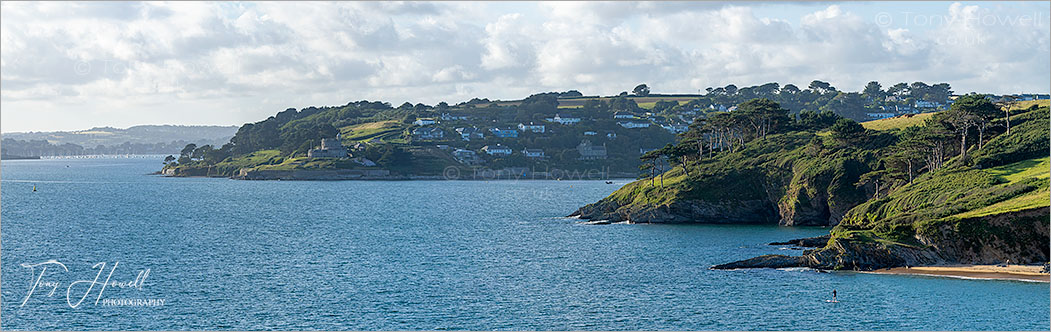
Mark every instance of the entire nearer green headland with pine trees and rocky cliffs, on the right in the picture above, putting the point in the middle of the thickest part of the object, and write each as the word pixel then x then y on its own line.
pixel 905 183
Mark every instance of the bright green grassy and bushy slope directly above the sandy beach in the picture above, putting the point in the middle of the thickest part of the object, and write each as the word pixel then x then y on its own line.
pixel 955 194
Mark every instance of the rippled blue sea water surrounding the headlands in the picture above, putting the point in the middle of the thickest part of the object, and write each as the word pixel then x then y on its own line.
pixel 409 256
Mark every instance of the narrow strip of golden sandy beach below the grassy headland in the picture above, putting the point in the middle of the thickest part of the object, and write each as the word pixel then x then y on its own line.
pixel 1012 273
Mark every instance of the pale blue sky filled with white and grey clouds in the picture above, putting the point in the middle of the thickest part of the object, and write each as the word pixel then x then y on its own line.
pixel 68 67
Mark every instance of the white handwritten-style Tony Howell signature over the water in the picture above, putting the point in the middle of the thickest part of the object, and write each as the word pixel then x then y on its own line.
pixel 75 288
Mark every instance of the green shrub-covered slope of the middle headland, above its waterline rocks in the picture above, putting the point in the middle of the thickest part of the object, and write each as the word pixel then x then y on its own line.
pixel 782 170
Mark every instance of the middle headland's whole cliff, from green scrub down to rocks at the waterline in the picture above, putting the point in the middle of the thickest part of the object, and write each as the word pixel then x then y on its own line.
pixel 795 185
